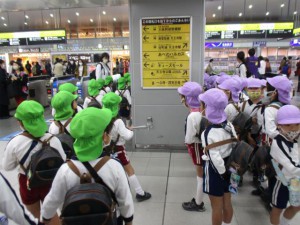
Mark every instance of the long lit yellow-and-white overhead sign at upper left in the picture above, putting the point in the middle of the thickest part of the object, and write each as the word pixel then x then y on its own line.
pixel 33 38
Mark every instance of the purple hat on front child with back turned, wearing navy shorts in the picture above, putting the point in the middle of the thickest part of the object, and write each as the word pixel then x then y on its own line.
pixel 216 102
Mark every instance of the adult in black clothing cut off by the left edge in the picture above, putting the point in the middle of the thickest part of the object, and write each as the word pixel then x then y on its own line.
pixel 4 100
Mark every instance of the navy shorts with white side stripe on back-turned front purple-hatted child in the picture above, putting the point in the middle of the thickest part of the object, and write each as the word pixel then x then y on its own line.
pixel 213 183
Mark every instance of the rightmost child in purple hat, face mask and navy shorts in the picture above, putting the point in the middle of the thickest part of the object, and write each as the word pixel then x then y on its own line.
pixel 285 151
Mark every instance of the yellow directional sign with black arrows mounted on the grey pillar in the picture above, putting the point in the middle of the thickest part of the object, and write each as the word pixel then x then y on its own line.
pixel 165 52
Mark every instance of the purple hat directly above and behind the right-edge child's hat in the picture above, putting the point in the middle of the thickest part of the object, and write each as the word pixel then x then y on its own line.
pixel 283 85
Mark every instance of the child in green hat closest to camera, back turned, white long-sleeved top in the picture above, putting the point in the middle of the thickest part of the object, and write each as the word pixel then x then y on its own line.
pixel 88 128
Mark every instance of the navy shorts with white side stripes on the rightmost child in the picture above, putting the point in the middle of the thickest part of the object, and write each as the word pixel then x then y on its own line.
pixel 280 194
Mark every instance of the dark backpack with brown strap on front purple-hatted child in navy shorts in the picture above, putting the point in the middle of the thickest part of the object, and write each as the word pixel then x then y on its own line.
pixel 240 155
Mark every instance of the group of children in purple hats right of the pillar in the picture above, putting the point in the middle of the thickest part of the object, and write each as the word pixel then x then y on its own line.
pixel 275 124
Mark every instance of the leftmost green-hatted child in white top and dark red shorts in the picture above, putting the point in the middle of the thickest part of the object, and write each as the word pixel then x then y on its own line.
pixel 30 115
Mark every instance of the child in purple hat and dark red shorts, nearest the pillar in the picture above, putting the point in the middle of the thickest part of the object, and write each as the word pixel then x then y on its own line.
pixel 189 96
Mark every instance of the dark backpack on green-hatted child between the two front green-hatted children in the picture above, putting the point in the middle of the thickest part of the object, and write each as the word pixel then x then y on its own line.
pixel 65 138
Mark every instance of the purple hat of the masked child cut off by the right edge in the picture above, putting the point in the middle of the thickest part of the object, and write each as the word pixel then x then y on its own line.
pixel 288 114
